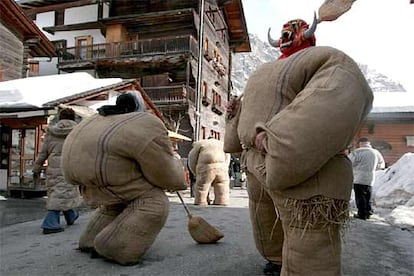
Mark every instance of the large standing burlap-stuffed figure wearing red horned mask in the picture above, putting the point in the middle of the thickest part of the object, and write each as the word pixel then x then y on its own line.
pixel 295 119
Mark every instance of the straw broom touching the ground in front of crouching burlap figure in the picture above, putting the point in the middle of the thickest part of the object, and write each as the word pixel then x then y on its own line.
pixel 200 230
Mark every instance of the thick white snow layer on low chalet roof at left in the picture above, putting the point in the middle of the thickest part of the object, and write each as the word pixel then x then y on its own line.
pixel 36 91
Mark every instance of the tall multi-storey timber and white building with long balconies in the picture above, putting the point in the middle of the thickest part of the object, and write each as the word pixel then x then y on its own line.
pixel 157 43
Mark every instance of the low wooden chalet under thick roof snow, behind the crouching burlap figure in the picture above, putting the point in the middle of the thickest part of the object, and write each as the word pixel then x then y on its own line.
pixel 22 130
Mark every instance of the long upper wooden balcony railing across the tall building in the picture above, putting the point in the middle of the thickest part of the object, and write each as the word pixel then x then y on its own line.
pixel 128 49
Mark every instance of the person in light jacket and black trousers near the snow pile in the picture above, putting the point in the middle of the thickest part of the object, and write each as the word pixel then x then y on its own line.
pixel 365 161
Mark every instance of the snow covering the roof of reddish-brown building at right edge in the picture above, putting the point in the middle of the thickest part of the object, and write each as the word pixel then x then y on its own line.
pixel 393 102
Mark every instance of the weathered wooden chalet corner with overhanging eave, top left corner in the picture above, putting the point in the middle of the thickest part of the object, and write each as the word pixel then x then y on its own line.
pixel 20 40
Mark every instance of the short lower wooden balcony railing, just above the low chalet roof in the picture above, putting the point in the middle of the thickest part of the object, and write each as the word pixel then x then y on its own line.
pixel 171 94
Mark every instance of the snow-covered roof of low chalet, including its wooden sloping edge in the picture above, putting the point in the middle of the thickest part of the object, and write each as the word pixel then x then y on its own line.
pixel 47 92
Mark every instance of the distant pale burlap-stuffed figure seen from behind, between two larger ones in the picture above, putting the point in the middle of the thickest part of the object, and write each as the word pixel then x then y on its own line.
pixel 210 165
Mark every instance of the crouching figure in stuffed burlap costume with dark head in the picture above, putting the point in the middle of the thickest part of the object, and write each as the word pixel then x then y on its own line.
pixel 123 161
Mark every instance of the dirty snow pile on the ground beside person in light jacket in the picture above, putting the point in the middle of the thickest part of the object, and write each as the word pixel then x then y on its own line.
pixel 393 191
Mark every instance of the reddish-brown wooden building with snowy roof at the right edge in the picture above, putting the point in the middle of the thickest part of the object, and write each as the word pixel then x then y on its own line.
pixel 390 125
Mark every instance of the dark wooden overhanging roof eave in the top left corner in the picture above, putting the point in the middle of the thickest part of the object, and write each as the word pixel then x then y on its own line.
pixel 25 29
